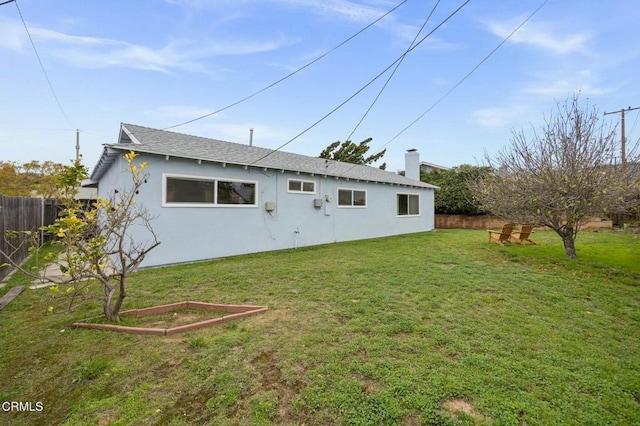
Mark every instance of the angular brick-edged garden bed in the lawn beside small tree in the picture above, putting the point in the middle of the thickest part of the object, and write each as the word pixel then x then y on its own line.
pixel 172 318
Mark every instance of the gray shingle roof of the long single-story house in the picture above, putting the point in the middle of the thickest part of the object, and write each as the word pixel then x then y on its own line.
pixel 162 142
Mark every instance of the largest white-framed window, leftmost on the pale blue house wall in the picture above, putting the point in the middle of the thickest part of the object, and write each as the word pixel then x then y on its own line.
pixel 193 191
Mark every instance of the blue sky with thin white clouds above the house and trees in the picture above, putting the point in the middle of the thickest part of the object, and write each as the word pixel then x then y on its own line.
pixel 162 63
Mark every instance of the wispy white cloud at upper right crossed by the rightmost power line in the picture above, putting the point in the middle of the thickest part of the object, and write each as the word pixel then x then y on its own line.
pixel 542 35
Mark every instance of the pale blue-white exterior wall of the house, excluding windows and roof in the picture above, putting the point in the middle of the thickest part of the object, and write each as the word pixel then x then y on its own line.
pixel 197 233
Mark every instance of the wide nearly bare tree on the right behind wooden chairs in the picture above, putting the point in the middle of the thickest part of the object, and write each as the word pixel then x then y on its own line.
pixel 561 176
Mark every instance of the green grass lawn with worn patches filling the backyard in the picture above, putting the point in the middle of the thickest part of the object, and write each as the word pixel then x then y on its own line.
pixel 438 328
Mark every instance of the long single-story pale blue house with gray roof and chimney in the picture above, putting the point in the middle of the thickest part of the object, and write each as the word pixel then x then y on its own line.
pixel 212 198
